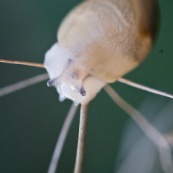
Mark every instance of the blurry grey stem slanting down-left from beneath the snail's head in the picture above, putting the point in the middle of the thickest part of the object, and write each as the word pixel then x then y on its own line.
pixel 61 139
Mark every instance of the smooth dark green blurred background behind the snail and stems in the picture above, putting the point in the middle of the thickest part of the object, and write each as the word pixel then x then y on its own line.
pixel 30 119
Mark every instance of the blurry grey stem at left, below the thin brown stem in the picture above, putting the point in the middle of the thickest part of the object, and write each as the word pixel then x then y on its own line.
pixel 22 84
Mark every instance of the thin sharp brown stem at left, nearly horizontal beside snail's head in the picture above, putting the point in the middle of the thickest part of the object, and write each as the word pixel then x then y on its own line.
pixel 38 65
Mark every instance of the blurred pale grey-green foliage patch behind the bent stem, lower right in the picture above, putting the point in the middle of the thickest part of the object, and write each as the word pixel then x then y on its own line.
pixel 138 153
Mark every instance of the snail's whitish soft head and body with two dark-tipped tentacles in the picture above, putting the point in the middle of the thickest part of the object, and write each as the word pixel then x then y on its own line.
pixel 71 80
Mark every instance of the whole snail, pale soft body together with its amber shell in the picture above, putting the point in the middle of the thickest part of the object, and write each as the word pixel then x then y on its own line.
pixel 98 42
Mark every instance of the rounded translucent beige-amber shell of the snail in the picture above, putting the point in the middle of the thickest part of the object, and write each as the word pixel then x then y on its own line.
pixel 109 37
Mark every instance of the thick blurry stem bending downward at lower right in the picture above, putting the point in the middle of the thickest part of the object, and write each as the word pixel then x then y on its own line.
pixel 152 133
